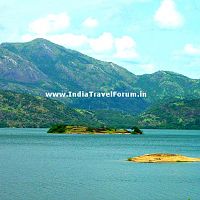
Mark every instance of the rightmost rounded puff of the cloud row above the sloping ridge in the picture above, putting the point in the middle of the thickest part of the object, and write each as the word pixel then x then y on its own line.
pixel 125 48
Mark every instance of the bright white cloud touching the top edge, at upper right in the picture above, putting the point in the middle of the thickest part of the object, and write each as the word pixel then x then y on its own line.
pixel 167 16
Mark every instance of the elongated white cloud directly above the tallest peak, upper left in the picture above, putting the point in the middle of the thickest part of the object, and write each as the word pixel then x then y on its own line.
pixel 50 23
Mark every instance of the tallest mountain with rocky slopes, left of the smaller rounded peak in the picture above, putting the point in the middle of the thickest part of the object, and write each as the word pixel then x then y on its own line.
pixel 64 69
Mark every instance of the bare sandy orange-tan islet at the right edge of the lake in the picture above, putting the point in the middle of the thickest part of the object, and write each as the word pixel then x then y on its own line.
pixel 162 158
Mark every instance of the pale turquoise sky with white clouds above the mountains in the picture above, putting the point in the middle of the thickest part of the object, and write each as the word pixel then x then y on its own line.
pixel 144 36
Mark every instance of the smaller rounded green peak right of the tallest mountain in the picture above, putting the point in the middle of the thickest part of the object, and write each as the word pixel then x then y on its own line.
pixel 164 85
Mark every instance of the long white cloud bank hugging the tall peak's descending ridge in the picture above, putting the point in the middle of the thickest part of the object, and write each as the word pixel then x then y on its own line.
pixel 105 45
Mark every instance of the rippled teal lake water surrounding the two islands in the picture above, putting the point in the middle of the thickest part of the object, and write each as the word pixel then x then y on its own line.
pixel 35 165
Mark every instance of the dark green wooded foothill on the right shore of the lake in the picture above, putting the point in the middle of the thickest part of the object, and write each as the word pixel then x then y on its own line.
pixel 182 114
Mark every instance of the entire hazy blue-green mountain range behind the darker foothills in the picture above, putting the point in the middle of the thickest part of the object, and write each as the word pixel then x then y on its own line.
pixel 41 66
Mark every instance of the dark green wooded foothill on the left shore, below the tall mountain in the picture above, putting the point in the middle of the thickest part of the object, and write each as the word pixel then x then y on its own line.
pixel 24 110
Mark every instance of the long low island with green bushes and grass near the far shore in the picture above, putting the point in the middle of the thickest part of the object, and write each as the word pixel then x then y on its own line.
pixel 70 129
